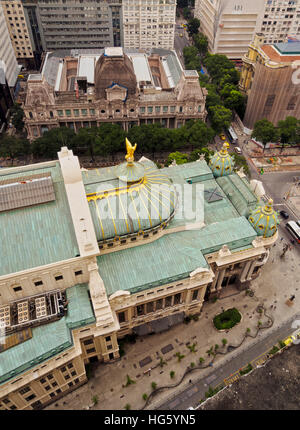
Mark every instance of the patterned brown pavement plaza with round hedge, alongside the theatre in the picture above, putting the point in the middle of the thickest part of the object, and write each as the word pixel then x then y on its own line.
pixel 279 280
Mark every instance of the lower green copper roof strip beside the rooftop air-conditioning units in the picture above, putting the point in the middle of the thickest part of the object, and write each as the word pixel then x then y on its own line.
pixel 49 339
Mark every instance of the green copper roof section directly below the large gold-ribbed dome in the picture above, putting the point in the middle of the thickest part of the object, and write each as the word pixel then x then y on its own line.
pixel 168 259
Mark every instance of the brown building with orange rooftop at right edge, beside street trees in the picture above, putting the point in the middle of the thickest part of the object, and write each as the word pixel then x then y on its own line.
pixel 270 79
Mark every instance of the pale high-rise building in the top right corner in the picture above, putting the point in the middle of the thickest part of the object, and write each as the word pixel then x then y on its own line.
pixel 231 26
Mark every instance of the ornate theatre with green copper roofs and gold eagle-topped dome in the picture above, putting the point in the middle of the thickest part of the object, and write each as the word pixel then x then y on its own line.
pixel 117 252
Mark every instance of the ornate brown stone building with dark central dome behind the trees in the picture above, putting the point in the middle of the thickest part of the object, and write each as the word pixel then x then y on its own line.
pixel 84 90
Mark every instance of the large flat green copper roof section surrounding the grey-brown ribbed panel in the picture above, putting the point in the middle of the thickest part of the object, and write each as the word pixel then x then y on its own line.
pixel 37 235
